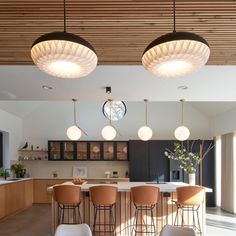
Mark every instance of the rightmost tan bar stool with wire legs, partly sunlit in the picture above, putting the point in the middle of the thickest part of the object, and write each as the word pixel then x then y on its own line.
pixel 189 199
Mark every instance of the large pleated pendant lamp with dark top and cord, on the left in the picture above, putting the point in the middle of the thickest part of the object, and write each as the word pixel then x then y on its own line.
pixel 63 54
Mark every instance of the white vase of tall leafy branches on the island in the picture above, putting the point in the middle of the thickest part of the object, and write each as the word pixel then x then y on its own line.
pixel 188 159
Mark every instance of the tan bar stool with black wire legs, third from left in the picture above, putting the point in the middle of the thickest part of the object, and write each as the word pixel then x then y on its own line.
pixel 145 199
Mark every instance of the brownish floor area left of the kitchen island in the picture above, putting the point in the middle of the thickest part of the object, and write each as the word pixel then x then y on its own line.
pixel 35 221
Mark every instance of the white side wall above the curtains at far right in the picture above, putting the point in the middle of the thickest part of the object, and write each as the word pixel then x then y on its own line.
pixel 224 123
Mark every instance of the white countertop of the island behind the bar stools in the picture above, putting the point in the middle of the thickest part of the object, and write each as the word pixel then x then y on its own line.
pixel 125 186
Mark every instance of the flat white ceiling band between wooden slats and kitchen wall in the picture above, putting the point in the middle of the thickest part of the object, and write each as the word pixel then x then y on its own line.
pixel 129 83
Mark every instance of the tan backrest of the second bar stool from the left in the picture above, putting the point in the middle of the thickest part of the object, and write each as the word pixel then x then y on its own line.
pixel 103 195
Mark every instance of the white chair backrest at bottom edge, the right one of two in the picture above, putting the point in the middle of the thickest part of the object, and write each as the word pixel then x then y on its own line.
pixel 170 230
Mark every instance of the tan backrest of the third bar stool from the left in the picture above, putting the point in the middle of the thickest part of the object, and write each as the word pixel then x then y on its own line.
pixel 145 195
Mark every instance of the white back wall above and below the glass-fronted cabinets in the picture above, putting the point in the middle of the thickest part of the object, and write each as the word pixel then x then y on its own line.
pixel 50 120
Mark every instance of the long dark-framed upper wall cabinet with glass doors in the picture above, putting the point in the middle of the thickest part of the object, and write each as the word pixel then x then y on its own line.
pixel 88 150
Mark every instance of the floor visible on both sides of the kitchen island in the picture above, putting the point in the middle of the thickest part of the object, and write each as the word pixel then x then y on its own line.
pixel 37 221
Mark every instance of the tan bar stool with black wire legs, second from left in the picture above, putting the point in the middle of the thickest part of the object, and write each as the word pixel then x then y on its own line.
pixel 103 199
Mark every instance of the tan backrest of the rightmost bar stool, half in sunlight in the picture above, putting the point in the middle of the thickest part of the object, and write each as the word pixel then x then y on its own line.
pixel 190 195
